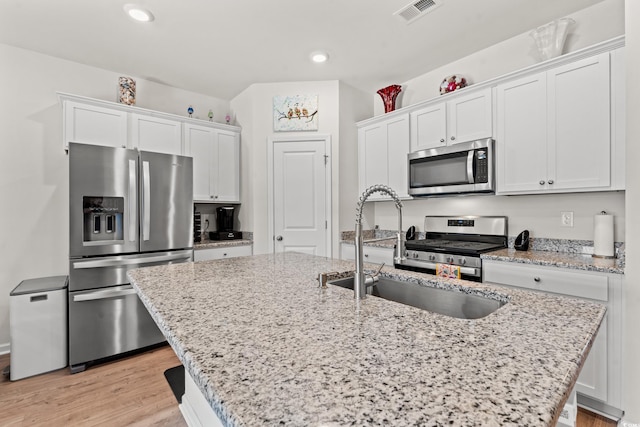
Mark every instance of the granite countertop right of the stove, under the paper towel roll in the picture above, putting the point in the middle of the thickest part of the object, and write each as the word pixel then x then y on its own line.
pixel 557 259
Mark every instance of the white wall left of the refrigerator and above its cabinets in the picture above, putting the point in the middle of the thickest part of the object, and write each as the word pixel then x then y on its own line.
pixel 34 174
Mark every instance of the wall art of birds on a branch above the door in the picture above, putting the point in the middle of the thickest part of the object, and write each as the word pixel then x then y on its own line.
pixel 295 113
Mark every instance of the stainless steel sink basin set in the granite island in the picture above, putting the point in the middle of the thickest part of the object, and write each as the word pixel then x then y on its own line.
pixel 441 301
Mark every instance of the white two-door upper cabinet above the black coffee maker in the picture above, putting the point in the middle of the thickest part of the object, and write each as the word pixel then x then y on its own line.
pixel 216 163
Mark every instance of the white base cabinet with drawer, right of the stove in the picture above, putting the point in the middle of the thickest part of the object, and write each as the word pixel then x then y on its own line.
pixel 600 378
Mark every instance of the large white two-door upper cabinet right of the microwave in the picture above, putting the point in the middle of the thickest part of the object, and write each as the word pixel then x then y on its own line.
pixel 553 130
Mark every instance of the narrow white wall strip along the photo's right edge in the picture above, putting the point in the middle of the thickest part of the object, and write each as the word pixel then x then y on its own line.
pixel 631 341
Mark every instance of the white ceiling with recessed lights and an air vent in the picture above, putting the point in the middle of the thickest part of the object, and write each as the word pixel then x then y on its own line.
pixel 219 48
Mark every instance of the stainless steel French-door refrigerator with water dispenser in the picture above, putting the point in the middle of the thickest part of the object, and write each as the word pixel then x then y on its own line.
pixel 127 209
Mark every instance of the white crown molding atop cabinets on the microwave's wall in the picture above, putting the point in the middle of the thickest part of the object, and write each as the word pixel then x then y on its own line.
pixel 602 47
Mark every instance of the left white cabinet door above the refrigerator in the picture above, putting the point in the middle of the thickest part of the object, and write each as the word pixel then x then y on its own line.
pixel 92 124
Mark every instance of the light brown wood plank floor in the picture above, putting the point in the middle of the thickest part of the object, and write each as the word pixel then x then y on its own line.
pixel 127 392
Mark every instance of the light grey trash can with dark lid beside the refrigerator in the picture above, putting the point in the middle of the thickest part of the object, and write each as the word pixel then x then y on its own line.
pixel 38 326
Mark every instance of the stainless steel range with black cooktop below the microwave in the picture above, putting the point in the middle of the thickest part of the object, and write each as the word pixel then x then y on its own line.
pixel 455 241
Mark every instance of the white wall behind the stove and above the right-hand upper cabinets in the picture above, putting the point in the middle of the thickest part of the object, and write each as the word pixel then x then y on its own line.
pixel 540 214
